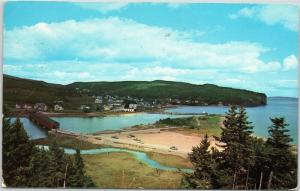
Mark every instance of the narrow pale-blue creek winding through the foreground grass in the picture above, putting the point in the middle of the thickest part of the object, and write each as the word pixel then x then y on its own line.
pixel 141 156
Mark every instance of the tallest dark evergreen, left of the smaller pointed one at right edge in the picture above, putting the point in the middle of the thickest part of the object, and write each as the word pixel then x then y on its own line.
pixel 236 159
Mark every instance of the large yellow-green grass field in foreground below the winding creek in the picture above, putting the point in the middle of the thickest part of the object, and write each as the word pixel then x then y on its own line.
pixel 122 170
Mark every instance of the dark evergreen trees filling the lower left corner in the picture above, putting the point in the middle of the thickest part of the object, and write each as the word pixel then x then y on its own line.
pixel 25 165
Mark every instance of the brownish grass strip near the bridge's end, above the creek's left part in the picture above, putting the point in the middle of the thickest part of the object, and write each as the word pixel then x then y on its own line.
pixel 67 142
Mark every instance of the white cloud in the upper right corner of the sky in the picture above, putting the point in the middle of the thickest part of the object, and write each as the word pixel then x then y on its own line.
pixel 286 15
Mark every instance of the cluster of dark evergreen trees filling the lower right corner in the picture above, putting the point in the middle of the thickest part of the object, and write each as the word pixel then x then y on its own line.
pixel 244 161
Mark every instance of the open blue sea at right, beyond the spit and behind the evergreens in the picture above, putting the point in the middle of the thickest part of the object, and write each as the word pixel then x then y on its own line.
pixel 259 116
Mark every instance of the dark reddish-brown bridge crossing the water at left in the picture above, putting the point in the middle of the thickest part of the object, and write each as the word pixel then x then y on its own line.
pixel 43 121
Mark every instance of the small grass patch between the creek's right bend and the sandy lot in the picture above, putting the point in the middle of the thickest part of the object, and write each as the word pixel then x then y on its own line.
pixel 170 160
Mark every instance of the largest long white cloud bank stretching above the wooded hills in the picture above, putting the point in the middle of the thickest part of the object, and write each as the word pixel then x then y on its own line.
pixel 116 40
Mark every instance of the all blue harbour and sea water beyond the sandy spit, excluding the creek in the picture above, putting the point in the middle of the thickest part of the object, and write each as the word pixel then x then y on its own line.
pixel 259 116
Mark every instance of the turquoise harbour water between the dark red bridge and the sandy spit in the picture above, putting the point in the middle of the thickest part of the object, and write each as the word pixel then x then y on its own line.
pixel 87 125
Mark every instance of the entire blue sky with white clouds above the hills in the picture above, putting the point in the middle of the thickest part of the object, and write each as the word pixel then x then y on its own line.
pixel 246 46
